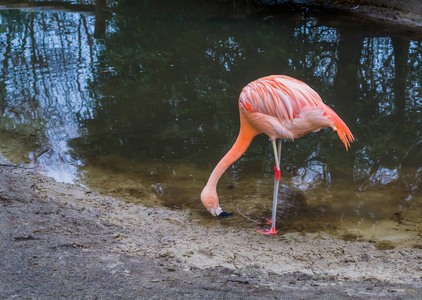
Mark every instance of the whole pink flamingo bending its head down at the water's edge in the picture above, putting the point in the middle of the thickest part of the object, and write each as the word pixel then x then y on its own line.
pixel 283 108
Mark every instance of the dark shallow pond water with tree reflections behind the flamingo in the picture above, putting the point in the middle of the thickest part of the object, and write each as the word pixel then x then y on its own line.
pixel 145 111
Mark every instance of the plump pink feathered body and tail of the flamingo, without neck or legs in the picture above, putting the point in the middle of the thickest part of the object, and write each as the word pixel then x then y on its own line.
pixel 284 107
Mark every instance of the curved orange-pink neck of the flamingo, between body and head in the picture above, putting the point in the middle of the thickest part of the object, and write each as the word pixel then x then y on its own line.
pixel 245 137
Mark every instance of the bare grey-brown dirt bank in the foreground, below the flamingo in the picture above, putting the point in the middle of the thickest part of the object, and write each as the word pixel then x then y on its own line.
pixel 65 241
